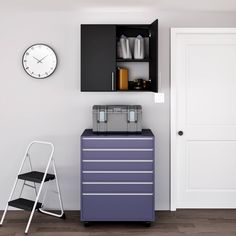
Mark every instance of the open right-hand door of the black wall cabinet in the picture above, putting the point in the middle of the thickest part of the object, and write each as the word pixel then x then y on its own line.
pixel 153 56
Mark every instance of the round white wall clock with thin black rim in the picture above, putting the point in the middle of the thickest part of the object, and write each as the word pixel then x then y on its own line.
pixel 39 61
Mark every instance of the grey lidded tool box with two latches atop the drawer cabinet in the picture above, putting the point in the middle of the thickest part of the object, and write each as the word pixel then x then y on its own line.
pixel 117 118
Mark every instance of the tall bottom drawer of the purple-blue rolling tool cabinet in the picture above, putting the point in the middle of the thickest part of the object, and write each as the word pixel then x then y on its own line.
pixel 117 208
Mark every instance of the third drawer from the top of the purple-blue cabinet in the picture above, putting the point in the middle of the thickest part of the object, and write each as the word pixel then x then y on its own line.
pixel 117 165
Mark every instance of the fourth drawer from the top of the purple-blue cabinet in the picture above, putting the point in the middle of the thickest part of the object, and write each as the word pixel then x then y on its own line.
pixel 117 177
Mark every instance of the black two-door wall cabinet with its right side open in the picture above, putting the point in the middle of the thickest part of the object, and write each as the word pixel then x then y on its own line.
pixel 99 60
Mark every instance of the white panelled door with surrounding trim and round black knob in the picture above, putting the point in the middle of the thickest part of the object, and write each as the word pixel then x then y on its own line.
pixel 204 108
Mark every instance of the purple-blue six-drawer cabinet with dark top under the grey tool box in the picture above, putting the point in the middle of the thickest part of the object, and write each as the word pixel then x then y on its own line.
pixel 117 177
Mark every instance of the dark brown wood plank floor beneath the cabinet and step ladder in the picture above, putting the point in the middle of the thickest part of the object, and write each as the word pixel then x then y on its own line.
pixel 181 222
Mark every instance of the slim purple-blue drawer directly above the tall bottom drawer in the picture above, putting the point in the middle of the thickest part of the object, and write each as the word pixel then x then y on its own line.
pixel 117 188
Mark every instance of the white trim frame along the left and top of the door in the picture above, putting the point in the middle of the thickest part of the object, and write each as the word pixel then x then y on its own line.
pixel 175 32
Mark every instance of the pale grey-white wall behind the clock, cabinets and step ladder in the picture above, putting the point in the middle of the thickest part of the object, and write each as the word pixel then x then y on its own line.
pixel 54 109
